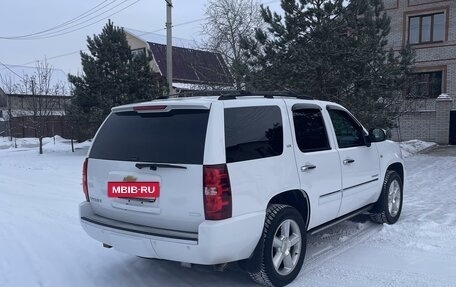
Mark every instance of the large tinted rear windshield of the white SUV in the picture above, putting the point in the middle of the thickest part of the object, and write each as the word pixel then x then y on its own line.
pixel 177 136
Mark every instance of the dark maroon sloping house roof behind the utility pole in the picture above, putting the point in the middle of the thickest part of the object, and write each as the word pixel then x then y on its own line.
pixel 193 66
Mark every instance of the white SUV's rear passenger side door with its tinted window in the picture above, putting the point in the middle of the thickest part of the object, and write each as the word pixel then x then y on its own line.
pixel 317 161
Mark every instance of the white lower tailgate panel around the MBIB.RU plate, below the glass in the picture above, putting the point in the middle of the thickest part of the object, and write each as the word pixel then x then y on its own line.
pixel 179 205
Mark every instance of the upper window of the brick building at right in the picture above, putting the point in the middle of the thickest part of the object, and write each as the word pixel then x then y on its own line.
pixel 427 28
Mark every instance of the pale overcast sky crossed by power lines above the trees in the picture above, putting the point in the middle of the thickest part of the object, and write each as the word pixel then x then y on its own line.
pixel 25 17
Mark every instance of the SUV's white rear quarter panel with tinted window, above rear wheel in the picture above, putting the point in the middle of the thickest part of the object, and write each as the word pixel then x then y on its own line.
pixel 259 152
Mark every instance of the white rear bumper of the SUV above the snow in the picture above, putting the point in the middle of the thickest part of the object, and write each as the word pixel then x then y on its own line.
pixel 216 241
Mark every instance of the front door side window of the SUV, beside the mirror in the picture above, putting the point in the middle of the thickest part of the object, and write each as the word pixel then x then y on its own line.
pixel 348 131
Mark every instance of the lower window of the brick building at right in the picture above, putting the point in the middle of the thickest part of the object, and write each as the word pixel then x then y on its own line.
pixel 426 85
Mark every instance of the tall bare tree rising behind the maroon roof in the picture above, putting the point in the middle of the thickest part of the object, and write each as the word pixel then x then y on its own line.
pixel 228 21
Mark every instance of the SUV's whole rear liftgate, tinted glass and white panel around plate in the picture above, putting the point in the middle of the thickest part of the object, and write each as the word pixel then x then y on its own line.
pixel 164 145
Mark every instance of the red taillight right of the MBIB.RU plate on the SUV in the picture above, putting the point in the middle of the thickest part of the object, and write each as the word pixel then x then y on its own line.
pixel 217 192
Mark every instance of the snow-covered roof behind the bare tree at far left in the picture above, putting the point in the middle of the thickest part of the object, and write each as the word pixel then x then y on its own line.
pixel 12 74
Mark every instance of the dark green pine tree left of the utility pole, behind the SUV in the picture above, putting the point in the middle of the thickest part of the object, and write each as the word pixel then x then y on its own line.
pixel 111 76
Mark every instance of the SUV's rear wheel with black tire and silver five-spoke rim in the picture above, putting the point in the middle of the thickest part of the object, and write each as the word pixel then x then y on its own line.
pixel 284 238
